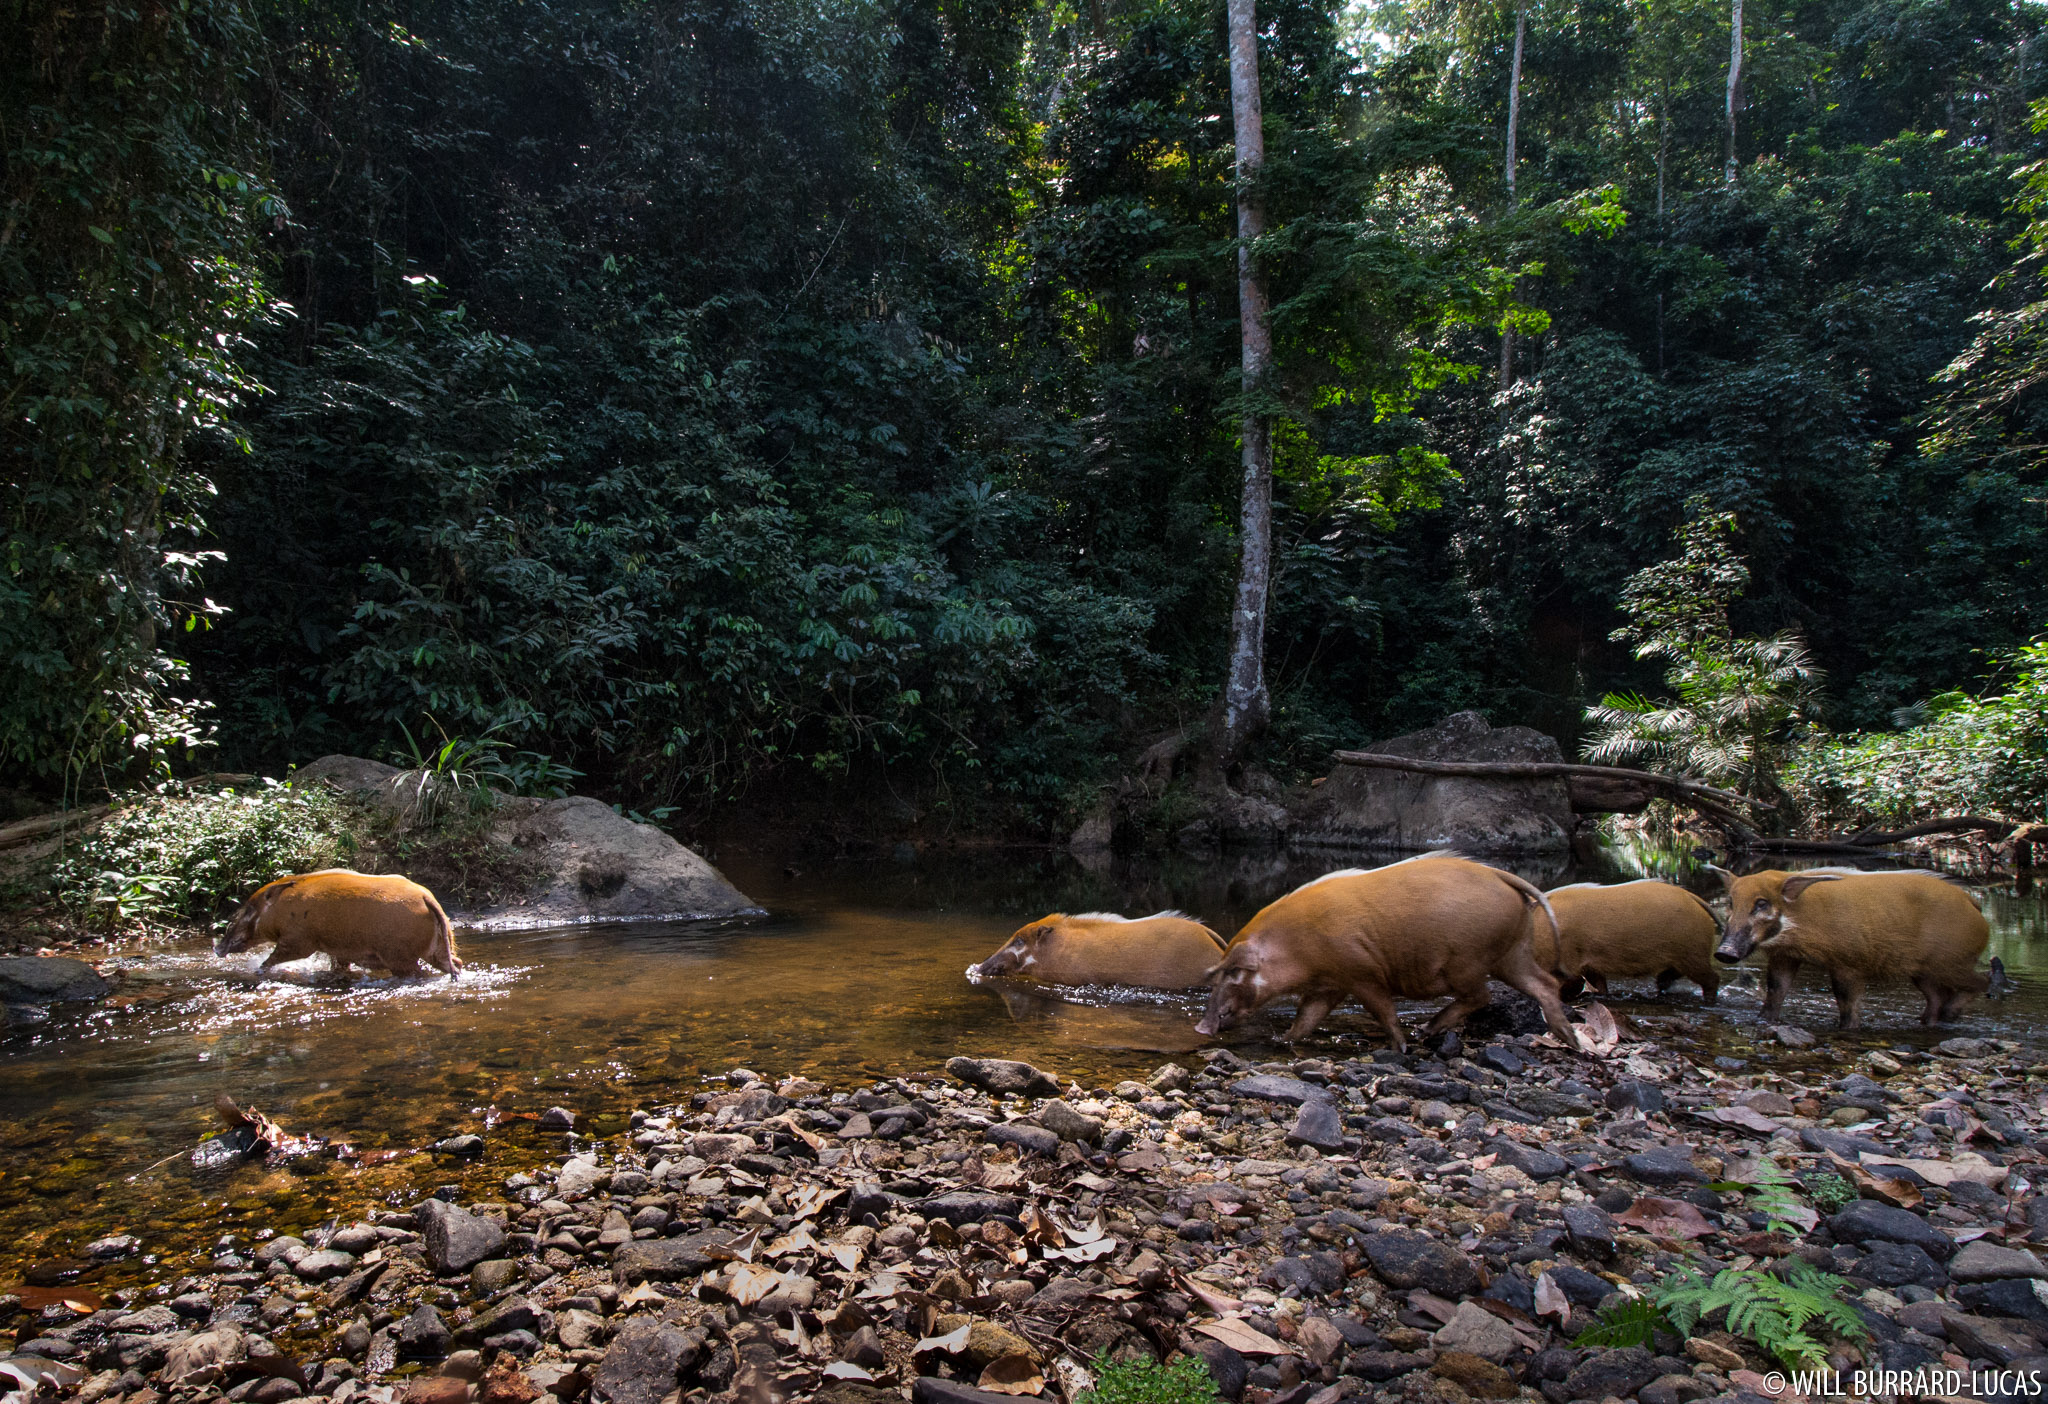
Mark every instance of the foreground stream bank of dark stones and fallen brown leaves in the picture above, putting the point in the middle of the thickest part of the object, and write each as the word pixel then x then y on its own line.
pixel 1428 1227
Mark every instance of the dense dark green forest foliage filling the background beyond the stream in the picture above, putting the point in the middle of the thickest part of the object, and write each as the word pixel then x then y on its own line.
pixel 718 392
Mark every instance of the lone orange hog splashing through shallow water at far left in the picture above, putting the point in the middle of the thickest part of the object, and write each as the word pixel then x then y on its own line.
pixel 355 918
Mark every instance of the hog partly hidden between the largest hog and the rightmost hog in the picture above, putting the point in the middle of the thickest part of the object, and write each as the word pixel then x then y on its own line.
pixel 1629 930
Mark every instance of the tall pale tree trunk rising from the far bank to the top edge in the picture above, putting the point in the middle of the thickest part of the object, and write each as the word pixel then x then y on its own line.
pixel 1246 705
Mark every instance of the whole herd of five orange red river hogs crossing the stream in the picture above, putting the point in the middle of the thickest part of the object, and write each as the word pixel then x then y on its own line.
pixel 1414 930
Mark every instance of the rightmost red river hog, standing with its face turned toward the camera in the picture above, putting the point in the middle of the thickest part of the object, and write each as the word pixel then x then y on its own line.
pixel 1859 926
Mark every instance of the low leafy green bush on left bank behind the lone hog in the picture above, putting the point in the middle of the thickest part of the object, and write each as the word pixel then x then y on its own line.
pixel 189 857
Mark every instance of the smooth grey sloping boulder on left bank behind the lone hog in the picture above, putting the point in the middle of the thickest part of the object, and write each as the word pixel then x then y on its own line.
pixel 595 865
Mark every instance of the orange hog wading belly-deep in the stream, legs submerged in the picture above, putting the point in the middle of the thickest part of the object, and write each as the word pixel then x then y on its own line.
pixel 1166 951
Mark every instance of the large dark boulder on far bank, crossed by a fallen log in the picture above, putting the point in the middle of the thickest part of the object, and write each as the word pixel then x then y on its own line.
pixel 1377 809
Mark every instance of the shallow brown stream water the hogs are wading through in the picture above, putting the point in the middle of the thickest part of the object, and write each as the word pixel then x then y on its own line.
pixel 857 975
